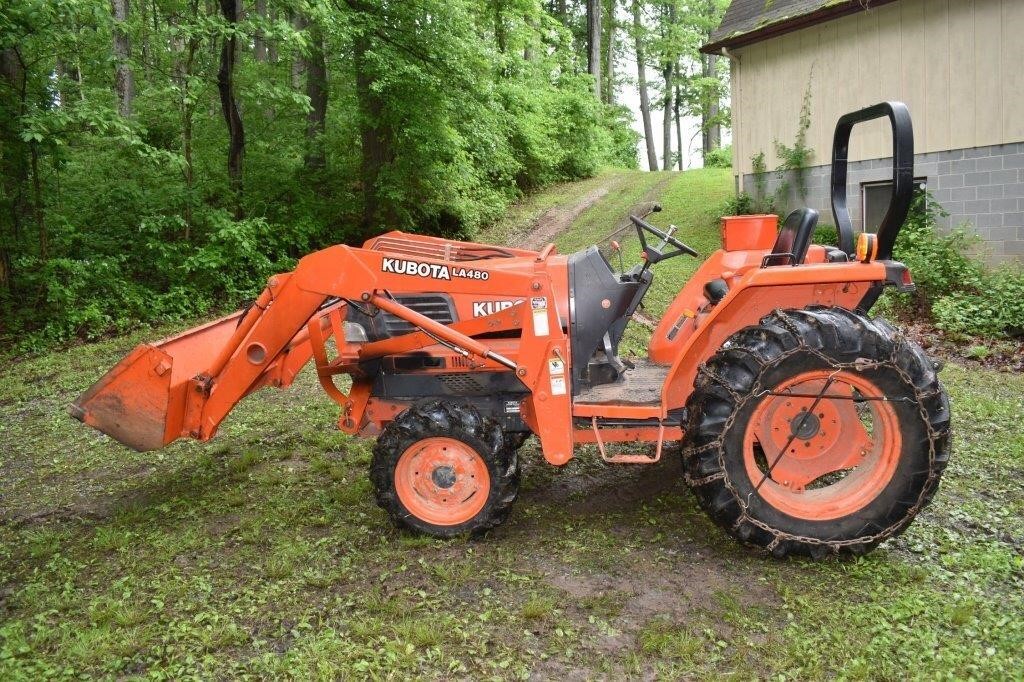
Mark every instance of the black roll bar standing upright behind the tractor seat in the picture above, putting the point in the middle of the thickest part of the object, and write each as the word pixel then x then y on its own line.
pixel 900 205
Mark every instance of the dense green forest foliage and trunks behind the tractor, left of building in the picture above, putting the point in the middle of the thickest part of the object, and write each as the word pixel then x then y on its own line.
pixel 161 158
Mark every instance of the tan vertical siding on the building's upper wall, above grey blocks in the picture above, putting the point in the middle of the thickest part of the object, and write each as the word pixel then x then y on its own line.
pixel 959 65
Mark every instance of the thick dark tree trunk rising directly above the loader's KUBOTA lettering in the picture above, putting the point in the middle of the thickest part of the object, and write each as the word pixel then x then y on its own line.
pixel 376 145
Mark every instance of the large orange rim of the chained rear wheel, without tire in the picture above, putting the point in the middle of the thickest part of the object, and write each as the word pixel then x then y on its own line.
pixel 838 459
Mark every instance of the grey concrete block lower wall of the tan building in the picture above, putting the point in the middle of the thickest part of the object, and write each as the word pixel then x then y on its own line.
pixel 983 188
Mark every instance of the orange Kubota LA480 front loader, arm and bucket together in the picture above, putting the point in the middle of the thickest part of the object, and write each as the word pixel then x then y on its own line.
pixel 187 386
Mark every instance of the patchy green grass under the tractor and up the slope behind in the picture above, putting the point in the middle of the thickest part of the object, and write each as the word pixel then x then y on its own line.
pixel 263 553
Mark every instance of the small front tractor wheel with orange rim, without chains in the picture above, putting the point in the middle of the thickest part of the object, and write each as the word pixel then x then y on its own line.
pixel 443 470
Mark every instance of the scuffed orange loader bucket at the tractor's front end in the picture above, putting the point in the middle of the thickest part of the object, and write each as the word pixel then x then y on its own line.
pixel 142 402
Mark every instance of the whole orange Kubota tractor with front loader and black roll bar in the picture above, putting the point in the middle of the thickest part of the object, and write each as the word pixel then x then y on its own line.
pixel 806 427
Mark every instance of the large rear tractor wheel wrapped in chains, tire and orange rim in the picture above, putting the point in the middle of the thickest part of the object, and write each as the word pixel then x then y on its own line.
pixel 818 432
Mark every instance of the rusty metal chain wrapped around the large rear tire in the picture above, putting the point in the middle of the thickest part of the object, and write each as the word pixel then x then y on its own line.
pixel 927 491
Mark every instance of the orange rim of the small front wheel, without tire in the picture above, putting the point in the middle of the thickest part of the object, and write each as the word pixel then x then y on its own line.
pixel 443 482
